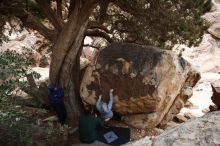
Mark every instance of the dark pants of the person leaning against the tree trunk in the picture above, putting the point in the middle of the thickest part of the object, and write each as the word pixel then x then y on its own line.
pixel 61 112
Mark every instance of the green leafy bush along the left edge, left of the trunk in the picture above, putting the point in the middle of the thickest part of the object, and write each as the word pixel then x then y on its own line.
pixel 19 126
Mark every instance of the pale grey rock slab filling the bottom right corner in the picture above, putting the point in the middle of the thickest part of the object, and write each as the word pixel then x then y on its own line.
pixel 202 131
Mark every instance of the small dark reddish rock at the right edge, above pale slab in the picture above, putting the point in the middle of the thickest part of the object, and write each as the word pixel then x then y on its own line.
pixel 216 93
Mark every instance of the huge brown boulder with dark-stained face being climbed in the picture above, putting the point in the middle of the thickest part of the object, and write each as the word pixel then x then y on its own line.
pixel 150 85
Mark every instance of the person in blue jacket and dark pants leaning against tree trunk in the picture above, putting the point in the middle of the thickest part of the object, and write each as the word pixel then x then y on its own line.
pixel 56 94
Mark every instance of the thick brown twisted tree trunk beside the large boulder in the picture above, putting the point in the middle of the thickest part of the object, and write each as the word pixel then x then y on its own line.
pixel 64 68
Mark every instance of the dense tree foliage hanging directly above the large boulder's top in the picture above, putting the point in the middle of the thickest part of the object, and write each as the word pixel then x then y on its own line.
pixel 161 23
